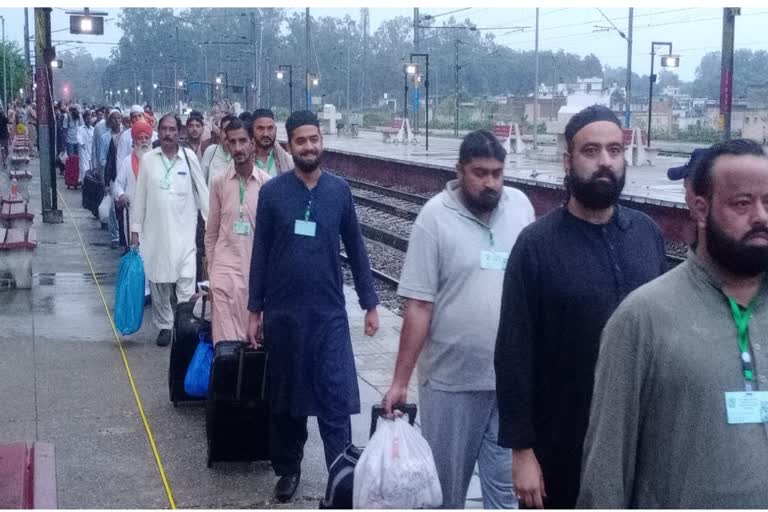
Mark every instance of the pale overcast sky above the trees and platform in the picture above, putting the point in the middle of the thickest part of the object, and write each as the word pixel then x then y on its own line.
pixel 692 31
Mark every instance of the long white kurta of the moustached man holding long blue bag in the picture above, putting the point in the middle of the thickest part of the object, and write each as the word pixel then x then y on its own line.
pixel 166 218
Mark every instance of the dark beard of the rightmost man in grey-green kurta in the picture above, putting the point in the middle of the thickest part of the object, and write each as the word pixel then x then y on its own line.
pixel 736 256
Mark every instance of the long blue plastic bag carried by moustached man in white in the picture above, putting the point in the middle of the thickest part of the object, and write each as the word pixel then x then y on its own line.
pixel 129 293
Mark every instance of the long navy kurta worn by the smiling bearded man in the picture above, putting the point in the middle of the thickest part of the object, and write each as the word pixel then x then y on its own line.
pixel 297 282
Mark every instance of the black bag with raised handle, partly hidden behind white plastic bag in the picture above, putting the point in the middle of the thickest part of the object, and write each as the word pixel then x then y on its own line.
pixel 341 474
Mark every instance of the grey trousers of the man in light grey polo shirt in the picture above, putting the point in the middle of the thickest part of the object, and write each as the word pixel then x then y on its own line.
pixel 462 429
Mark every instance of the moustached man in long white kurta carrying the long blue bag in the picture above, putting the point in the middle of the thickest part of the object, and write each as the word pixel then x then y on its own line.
pixel 169 193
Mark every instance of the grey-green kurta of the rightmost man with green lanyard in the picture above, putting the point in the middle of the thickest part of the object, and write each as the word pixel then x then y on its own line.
pixel 658 432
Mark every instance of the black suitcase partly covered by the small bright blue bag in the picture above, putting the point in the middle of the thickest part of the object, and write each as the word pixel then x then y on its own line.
pixel 184 340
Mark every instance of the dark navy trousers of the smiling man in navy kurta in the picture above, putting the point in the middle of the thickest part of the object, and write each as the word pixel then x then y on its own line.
pixel 289 434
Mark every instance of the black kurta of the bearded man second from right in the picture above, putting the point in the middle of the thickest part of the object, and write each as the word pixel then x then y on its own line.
pixel 564 279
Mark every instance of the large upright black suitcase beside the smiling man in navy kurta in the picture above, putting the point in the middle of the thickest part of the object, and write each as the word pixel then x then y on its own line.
pixel 237 420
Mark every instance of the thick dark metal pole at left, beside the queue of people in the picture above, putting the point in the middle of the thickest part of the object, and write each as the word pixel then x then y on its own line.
pixel 46 133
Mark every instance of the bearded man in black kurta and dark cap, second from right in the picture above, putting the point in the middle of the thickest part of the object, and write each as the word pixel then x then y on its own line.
pixel 565 276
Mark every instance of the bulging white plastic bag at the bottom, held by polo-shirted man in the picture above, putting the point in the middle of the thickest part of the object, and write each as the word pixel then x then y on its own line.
pixel 396 470
